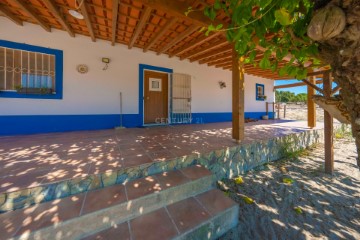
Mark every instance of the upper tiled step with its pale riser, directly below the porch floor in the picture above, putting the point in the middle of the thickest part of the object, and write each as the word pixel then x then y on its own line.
pixel 81 214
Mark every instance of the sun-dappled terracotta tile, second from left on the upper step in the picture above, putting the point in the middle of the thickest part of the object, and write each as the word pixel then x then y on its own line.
pixel 50 213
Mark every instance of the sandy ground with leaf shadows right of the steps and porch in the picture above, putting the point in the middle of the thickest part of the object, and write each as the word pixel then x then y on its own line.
pixel 308 205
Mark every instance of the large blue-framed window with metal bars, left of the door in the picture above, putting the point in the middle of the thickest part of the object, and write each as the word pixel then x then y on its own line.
pixel 29 71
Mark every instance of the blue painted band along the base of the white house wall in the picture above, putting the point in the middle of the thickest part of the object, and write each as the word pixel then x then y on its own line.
pixel 18 125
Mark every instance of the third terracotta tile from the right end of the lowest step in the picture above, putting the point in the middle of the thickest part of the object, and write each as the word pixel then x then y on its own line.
pixel 153 226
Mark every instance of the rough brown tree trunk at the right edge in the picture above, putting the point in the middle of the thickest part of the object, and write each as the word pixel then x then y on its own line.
pixel 343 54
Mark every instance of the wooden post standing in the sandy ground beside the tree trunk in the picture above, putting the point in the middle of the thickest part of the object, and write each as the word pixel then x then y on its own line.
pixel 328 128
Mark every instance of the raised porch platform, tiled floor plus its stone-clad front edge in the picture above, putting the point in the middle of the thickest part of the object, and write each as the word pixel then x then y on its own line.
pixel 37 168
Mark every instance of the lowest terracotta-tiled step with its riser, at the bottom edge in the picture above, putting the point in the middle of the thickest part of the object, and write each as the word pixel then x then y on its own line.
pixel 205 216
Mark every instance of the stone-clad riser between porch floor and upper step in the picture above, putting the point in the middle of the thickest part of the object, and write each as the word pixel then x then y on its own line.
pixel 57 190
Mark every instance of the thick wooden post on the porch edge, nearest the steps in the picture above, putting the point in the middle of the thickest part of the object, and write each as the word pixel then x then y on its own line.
pixel 238 97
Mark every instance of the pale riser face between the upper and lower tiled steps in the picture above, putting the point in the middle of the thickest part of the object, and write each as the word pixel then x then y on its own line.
pixel 103 219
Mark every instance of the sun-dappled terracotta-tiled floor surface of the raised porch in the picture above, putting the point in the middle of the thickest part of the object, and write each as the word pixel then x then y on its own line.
pixel 34 160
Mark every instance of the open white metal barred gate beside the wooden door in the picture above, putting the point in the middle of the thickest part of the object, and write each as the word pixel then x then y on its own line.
pixel 181 98
